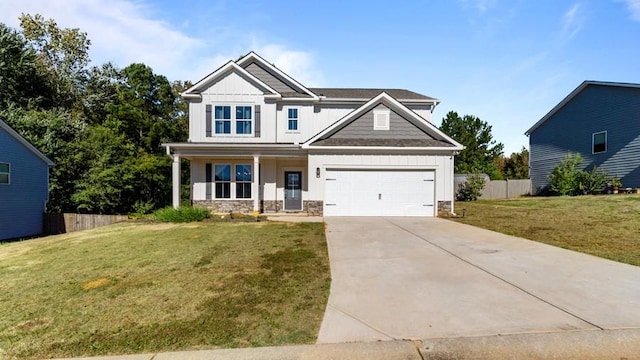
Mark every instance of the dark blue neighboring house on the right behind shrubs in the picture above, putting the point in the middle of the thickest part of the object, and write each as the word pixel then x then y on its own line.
pixel 598 120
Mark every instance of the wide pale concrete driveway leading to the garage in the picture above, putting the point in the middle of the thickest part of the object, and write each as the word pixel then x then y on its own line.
pixel 424 278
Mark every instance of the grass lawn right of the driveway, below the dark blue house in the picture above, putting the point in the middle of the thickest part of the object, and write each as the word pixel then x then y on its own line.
pixel 605 225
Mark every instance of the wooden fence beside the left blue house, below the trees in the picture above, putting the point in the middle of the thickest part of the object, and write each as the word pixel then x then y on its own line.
pixel 69 222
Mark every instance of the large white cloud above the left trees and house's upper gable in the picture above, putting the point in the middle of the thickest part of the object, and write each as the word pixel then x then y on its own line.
pixel 124 32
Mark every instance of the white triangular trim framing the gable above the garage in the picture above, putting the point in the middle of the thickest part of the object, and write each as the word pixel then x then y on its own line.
pixel 392 103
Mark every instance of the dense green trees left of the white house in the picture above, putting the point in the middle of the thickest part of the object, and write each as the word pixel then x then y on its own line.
pixel 102 126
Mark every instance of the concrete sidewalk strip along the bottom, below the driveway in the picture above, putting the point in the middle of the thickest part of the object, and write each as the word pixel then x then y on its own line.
pixel 576 345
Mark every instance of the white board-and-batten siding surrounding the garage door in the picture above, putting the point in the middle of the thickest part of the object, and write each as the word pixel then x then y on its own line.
pixel 441 163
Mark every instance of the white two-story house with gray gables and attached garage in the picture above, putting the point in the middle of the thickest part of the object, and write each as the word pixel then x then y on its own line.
pixel 261 141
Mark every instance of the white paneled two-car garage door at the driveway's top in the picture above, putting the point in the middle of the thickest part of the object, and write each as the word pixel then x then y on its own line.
pixel 379 193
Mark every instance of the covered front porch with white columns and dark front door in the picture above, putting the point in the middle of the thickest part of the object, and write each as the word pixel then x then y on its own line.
pixel 271 179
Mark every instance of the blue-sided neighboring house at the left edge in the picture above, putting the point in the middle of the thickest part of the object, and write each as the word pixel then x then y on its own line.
pixel 24 185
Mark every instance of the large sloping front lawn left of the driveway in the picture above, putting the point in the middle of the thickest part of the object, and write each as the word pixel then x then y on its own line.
pixel 140 287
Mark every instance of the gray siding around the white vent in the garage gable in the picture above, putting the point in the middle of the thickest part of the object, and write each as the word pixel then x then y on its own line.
pixel 399 128
